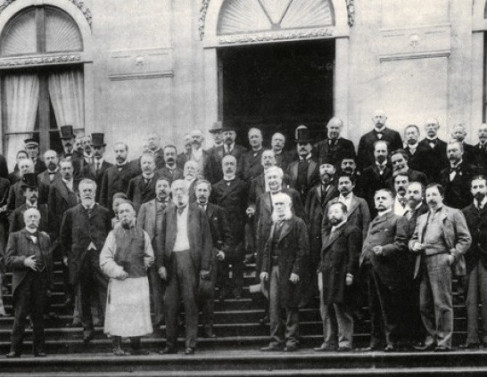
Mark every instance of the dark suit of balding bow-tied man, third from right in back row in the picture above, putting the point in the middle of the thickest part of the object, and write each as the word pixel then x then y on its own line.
pixel 431 161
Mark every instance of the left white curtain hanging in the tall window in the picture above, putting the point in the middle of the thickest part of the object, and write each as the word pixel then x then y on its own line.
pixel 22 100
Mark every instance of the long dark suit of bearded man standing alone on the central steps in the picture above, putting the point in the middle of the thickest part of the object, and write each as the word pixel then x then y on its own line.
pixel 230 196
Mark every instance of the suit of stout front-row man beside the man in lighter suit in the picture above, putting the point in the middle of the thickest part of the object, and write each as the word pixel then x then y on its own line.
pixel 387 277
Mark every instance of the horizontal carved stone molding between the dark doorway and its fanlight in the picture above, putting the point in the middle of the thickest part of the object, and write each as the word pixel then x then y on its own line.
pixel 277 36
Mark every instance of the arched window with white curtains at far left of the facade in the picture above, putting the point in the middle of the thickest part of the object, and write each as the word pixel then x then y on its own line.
pixel 42 83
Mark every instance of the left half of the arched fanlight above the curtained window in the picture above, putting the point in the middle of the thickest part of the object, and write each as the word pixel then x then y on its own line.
pixel 19 37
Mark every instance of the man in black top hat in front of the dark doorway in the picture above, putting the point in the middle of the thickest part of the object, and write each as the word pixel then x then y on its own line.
pixel 304 172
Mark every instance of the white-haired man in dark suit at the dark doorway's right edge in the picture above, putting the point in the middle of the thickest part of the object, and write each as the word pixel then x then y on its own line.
pixel 334 147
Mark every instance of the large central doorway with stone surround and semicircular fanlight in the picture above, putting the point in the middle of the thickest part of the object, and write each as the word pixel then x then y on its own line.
pixel 278 63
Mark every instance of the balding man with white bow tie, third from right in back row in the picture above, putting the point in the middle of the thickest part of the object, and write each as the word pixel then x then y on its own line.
pixel 430 155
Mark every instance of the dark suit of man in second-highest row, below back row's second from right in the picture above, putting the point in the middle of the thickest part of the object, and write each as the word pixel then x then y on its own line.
pixel 457 191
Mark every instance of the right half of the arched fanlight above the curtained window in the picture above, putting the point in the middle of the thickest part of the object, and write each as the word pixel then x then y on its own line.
pixel 62 34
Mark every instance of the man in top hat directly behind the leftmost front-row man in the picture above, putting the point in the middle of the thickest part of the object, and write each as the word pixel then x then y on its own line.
pixel 31 193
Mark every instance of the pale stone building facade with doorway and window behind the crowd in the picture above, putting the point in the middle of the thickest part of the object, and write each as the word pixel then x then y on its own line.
pixel 130 67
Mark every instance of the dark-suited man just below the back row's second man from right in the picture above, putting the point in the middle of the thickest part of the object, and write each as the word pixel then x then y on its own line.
pixel 455 179
